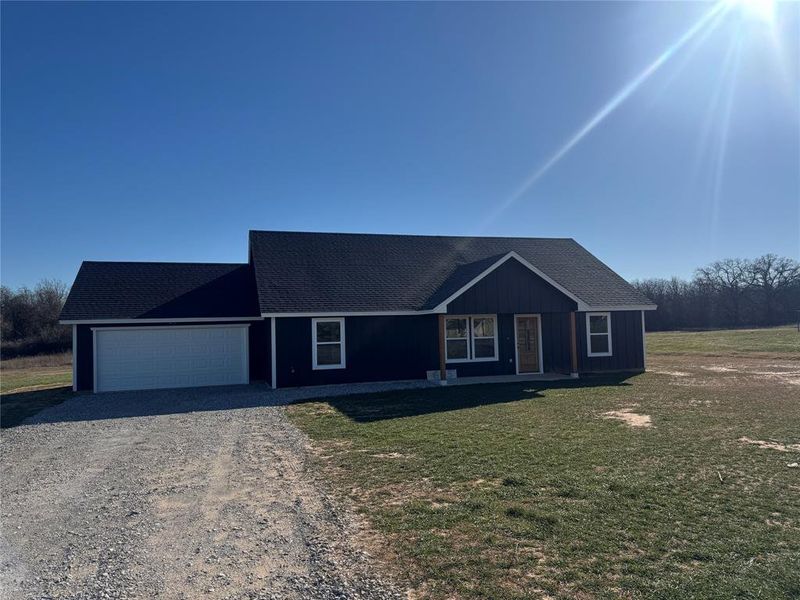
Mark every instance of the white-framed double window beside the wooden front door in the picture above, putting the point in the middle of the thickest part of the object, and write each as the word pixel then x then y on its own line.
pixel 470 338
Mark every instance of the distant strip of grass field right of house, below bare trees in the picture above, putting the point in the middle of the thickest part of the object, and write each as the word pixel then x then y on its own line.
pixel 778 340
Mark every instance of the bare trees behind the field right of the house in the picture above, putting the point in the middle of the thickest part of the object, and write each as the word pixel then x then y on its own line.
pixel 733 292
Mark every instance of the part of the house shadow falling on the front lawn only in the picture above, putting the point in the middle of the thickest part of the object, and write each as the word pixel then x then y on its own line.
pixel 368 408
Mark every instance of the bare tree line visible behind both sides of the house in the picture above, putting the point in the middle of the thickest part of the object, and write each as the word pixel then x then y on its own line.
pixel 726 293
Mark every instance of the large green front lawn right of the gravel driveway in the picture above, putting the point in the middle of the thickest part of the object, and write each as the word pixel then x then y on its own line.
pixel 524 490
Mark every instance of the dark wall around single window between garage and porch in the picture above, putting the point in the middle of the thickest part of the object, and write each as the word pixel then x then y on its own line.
pixel 376 349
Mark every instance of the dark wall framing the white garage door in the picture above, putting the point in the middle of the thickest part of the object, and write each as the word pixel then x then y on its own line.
pixel 258 350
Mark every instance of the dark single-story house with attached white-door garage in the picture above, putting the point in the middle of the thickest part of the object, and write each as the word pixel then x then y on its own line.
pixel 320 308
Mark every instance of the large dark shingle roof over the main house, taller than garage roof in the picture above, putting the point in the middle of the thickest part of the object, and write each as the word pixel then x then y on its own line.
pixel 373 273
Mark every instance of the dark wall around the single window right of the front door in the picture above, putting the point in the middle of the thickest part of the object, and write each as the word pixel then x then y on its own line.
pixel 626 340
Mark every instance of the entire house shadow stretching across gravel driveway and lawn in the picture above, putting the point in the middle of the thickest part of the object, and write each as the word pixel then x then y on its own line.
pixel 58 405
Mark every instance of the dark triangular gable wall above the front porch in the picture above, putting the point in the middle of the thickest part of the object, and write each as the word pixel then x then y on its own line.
pixel 511 288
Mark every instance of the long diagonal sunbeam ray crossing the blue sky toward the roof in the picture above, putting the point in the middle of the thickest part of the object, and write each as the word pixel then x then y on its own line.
pixel 706 20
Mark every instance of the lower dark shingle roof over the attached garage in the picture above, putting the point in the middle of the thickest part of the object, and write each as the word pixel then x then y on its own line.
pixel 114 291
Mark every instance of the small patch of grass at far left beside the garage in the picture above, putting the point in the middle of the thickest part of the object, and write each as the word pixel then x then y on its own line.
pixel 31 384
